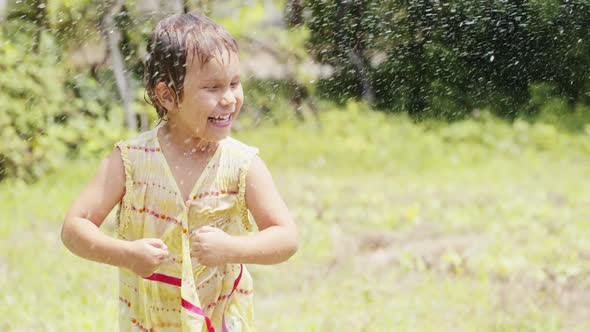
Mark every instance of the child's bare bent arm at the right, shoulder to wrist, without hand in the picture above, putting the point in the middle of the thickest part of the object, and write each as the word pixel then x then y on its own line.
pixel 276 240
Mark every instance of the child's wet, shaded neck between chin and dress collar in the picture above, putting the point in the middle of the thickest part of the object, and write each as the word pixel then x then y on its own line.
pixel 184 142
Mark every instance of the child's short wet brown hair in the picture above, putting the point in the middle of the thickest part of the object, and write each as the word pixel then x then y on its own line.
pixel 176 41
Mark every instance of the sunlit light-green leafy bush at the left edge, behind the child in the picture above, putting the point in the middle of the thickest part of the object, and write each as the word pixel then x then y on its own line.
pixel 44 120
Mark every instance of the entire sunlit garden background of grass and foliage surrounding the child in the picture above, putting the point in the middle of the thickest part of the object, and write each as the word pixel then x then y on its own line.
pixel 435 155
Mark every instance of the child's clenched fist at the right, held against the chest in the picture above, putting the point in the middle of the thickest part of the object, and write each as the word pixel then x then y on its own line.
pixel 211 246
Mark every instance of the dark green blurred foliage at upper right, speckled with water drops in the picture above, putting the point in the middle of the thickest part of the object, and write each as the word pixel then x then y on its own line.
pixel 444 59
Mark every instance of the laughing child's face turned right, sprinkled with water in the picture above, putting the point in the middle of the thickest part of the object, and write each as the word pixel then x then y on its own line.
pixel 212 98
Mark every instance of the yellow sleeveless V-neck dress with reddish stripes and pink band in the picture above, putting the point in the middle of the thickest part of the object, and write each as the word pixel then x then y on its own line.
pixel 183 295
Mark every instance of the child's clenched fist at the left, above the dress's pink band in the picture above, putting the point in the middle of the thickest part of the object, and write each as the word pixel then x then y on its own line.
pixel 147 255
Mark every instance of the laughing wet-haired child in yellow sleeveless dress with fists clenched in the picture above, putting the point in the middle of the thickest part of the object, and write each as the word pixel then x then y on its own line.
pixel 187 193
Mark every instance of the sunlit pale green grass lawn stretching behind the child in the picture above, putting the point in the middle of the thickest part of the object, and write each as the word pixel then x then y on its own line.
pixel 475 226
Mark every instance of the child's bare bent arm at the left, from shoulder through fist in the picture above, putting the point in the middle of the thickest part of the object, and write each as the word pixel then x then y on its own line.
pixel 80 231
